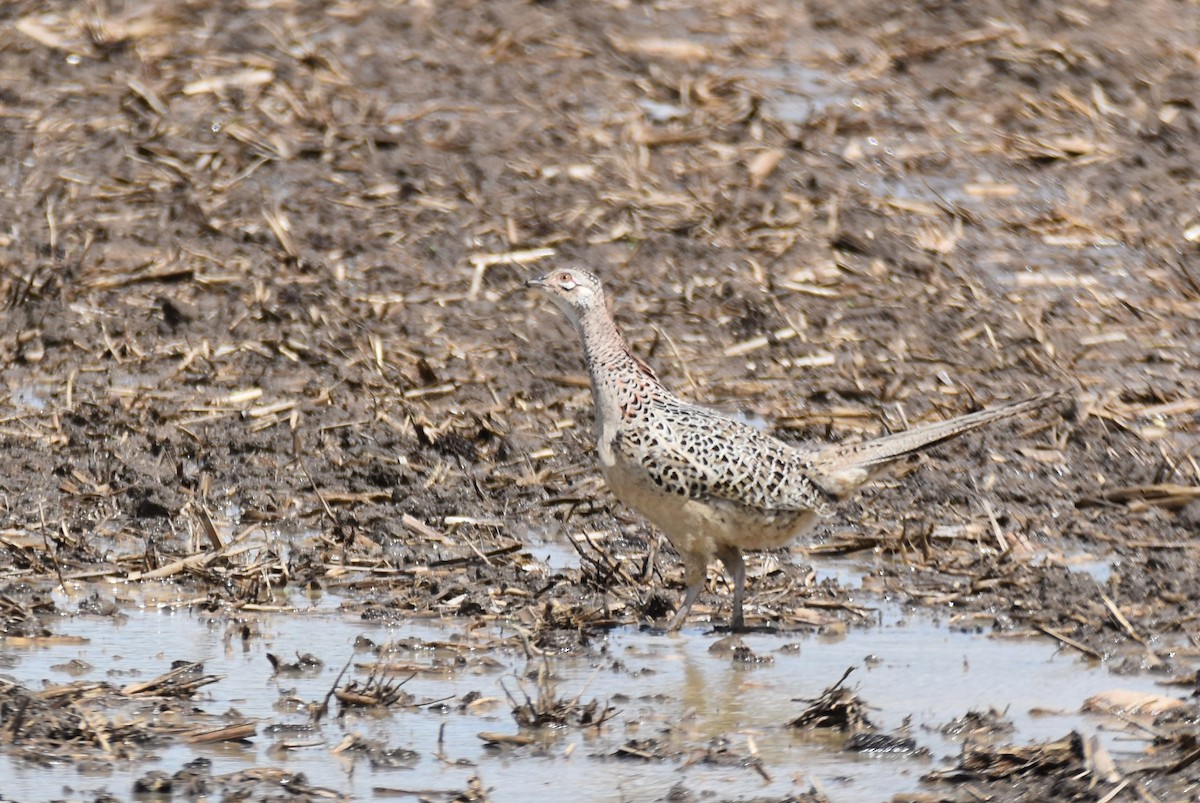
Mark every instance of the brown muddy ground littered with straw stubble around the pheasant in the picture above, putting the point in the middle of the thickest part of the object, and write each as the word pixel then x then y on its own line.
pixel 265 326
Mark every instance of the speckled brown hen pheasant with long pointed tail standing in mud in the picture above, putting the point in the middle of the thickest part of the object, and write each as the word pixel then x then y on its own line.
pixel 712 484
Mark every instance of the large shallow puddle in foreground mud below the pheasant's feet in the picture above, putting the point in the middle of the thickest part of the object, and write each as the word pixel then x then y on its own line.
pixel 658 684
